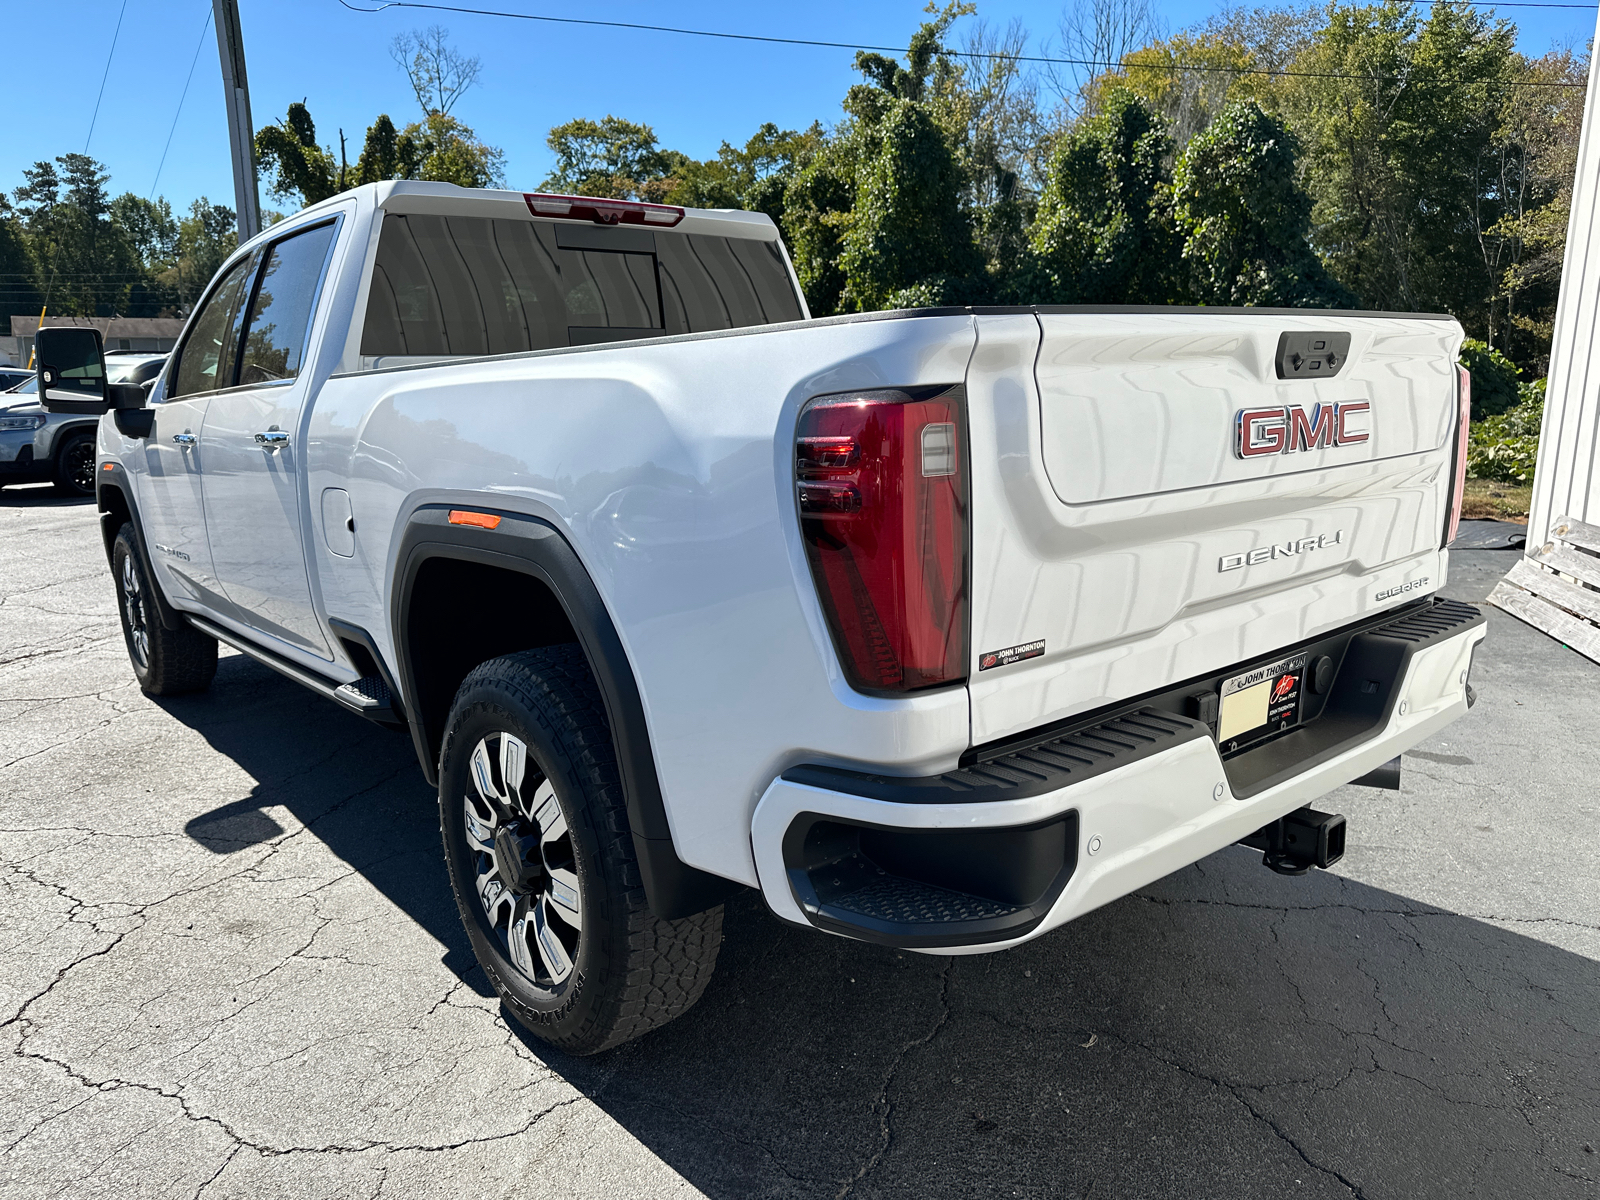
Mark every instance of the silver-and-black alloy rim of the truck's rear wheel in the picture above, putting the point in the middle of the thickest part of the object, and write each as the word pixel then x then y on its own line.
pixel 527 874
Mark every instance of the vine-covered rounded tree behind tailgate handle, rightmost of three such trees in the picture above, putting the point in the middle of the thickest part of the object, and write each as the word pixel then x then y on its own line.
pixel 1244 217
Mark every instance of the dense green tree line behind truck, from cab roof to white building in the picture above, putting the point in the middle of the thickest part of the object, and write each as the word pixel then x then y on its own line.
pixel 1398 162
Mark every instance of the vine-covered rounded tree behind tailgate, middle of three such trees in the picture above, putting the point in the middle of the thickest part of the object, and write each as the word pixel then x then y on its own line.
pixel 1105 233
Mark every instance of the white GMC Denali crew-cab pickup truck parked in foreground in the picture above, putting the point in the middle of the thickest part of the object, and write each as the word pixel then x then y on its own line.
pixel 938 628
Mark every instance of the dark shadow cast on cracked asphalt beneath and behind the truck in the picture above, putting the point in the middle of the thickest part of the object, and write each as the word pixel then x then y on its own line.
pixel 1225 1033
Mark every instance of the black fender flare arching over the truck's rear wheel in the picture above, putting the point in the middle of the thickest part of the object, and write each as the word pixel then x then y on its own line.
pixel 534 546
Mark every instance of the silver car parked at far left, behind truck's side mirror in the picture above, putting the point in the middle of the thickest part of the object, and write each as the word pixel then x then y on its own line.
pixel 39 447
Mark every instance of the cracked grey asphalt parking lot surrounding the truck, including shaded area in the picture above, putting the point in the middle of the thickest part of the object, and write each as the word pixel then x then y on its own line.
pixel 231 967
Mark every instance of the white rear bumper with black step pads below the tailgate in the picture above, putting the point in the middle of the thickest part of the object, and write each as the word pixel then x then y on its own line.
pixel 1086 817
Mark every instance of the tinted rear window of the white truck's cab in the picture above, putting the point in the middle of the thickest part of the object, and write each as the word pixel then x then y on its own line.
pixel 450 287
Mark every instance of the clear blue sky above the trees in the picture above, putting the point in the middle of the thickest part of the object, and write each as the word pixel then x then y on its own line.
pixel 695 92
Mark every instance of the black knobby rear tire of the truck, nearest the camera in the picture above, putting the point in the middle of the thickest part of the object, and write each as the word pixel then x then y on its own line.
pixel 628 970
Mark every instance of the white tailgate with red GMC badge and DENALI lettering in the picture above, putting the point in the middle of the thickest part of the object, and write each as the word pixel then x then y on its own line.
pixel 1153 502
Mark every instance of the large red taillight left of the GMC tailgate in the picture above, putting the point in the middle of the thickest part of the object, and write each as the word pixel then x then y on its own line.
pixel 882 492
